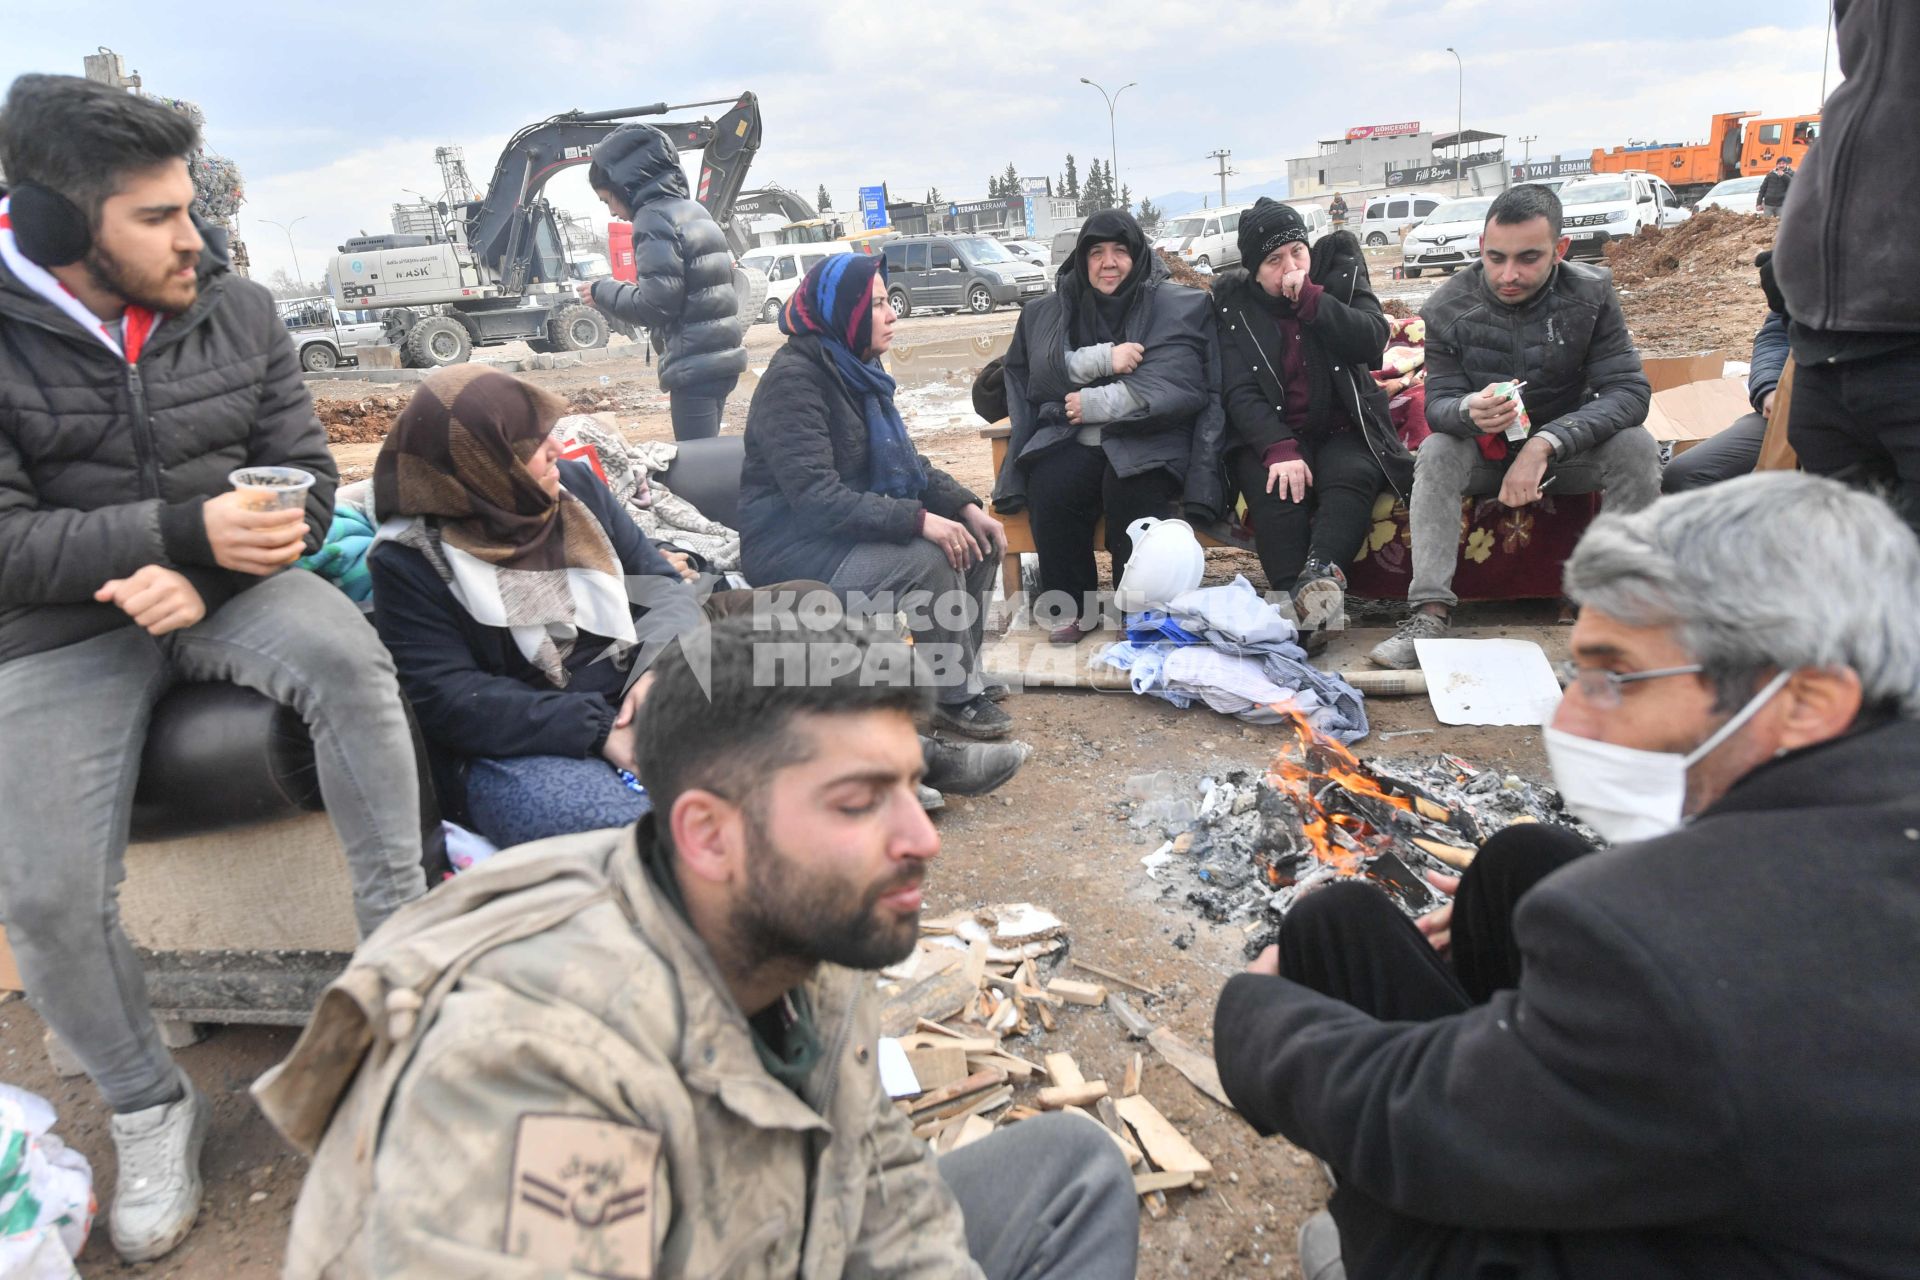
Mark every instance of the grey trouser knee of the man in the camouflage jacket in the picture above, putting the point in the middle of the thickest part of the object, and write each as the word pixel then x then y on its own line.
pixel 1047 1200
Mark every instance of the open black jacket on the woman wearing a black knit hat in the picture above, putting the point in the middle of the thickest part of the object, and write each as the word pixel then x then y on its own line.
pixel 1345 341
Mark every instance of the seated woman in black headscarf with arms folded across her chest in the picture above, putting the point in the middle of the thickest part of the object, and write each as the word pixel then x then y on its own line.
pixel 1105 383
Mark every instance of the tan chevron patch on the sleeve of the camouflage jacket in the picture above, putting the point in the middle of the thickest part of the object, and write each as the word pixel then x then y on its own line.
pixel 585 1197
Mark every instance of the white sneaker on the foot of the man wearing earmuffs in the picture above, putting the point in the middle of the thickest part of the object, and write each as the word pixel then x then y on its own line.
pixel 158 1191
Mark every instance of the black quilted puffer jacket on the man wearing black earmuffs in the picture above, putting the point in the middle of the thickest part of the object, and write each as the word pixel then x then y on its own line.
pixel 105 465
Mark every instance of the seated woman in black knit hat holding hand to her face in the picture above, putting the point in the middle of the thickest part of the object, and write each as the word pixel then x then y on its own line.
pixel 1310 440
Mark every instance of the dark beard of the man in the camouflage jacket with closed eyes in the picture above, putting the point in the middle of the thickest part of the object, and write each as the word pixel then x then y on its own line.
pixel 792 913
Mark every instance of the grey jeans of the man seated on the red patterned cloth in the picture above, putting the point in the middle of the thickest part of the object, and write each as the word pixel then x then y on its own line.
pixel 1625 467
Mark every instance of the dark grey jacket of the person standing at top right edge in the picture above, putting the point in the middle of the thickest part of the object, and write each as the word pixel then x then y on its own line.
pixel 1850 235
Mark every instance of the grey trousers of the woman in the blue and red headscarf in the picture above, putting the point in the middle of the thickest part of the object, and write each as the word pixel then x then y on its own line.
pixel 946 607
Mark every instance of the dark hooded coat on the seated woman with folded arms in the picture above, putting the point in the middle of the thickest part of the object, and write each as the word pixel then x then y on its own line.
pixel 1180 425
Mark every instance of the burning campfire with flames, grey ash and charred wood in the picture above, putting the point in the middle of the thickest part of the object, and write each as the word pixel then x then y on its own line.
pixel 1255 843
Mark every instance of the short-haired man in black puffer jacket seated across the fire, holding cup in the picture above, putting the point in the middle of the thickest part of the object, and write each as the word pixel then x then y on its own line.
pixel 1533 387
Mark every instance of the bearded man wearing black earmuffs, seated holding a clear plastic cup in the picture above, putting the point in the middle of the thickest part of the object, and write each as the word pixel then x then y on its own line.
pixel 135 373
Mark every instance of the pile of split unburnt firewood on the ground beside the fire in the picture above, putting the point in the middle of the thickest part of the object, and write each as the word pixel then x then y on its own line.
pixel 980 980
